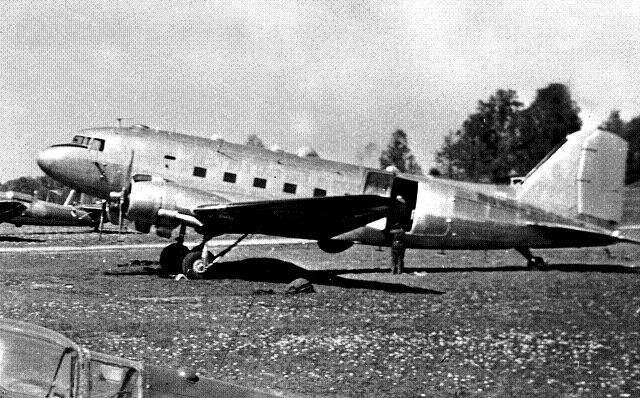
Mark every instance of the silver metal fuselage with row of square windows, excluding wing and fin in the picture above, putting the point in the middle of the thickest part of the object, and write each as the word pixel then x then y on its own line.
pixel 444 214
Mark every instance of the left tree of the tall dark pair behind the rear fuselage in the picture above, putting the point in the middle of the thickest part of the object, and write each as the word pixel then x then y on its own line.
pixel 482 150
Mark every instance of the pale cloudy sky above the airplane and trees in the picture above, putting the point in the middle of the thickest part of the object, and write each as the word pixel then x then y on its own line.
pixel 333 75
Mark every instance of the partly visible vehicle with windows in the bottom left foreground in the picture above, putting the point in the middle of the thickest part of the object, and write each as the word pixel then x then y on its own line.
pixel 38 362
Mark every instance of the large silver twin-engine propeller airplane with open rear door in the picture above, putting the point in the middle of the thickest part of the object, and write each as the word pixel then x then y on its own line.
pixel 573 198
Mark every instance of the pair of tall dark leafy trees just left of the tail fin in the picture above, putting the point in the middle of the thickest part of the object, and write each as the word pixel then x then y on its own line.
pixel 501 139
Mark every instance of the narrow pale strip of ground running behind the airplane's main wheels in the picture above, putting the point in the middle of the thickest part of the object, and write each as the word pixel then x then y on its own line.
pixel 215 243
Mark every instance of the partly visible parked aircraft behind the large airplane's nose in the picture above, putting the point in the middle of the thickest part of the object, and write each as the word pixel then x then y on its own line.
pixel 23 209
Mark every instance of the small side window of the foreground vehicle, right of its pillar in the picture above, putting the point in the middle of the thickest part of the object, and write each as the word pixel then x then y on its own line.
pixel 113 380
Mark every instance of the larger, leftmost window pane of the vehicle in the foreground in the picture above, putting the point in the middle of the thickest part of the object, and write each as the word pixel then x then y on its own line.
pixel 35 367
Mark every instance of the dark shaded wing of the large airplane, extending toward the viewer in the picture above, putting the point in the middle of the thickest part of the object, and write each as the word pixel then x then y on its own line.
pixel 308 218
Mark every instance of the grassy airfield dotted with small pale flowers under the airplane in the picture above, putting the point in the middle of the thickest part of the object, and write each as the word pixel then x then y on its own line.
pixel 458 324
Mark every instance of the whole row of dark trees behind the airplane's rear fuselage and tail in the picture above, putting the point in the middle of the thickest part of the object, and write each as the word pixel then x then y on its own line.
pixel 504 139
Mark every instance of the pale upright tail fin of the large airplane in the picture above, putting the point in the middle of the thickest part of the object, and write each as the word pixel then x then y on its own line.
pixel 583 179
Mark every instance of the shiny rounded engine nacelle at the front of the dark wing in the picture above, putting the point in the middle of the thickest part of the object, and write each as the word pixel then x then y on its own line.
pixel 165 204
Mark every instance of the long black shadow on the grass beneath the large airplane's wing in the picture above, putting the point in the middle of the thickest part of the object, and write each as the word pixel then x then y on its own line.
pixel 279 271
